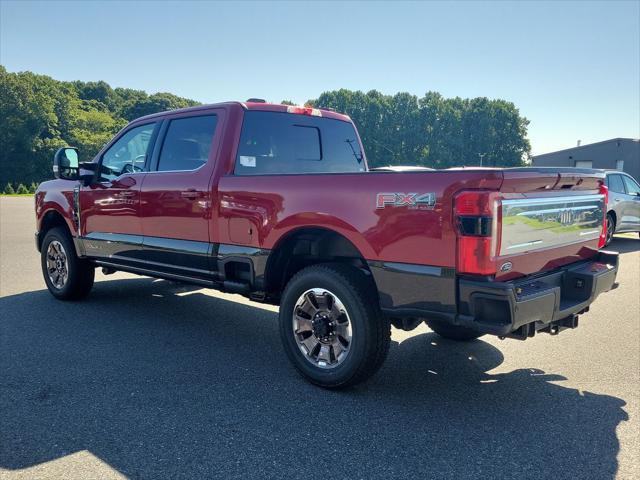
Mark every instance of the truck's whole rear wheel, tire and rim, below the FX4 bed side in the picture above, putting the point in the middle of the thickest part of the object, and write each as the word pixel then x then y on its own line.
pixel 331 325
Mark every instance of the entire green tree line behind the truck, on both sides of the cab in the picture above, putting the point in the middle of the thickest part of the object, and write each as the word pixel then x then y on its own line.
pixel 39 114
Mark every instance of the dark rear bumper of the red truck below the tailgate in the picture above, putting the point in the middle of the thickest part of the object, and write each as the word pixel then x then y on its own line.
pixel 548 302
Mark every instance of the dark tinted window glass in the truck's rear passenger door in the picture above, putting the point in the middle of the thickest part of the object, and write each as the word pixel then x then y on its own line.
pixel 187 143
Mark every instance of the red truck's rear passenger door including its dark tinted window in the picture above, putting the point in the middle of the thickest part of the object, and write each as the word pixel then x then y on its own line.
pixel 176 195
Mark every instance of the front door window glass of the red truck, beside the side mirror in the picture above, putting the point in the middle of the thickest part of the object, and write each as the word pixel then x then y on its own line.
pixel 128 154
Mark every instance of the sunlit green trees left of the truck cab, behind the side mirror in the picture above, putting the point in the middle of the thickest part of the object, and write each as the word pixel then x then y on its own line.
pixel 39 114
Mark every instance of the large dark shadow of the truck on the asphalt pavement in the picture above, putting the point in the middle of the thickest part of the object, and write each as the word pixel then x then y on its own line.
pixel 164 381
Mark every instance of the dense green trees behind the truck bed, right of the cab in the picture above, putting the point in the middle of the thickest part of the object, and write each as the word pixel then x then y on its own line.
pixel 433 131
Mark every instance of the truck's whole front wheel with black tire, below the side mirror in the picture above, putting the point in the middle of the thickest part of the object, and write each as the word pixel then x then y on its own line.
pixel 67 276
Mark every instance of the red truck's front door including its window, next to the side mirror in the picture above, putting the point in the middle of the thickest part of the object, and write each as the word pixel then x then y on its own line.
pixel 110 206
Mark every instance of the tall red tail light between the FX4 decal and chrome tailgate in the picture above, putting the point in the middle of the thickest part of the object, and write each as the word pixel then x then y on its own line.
pixel 476 219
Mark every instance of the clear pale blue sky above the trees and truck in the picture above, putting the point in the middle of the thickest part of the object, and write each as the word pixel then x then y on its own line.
pixel 572 68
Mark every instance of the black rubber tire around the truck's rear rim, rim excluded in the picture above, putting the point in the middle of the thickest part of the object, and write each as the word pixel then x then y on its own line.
pixel 358 317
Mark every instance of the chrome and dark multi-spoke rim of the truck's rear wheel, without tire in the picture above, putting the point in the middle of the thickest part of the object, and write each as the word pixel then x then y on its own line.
pixel 322 328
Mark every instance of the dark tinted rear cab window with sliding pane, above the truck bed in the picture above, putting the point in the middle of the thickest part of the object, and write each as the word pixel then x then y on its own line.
pixel 278 143
